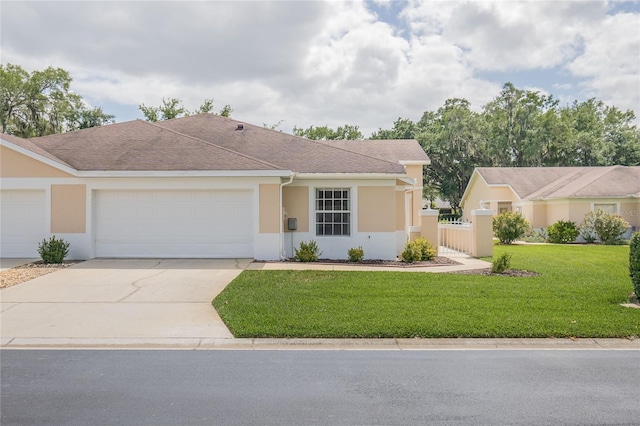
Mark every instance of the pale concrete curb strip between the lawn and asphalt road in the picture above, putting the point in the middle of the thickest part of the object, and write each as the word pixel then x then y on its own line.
pixel 322 344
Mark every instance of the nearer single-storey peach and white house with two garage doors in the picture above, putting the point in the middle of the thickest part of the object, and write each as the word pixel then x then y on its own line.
pixel 207 186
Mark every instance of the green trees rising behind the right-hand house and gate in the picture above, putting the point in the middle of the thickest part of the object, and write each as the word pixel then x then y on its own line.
pixel 518 128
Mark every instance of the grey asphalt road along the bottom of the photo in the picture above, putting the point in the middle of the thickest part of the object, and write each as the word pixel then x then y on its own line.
pixel 320 387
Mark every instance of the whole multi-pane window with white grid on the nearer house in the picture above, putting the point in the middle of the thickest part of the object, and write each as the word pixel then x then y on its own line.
pixel 333 211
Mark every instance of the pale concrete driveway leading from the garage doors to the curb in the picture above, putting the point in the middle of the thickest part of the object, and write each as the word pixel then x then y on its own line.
pixel 142 299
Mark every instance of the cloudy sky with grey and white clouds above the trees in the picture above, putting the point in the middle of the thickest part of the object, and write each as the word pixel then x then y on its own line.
pixel 364 63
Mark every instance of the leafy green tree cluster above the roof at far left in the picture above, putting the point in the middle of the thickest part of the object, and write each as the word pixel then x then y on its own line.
pixel 41 103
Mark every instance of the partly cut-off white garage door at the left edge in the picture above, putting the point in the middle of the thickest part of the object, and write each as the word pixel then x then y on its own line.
pixel 23 222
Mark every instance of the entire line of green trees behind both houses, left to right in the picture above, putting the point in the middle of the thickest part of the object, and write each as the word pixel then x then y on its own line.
pixel 518 128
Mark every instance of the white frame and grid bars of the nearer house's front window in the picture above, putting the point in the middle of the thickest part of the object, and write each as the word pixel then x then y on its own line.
pixel 320 209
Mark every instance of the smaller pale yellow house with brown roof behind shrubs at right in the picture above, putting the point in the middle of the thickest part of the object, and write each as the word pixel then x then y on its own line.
pixel 544 195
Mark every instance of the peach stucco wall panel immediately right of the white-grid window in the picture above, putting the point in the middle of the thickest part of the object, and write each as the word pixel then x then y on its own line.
pixel 376 208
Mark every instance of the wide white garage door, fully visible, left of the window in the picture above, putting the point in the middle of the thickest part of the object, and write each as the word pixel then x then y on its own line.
pixel 174 223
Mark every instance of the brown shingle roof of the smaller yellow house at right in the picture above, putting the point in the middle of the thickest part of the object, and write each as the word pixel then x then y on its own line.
pixel 565 182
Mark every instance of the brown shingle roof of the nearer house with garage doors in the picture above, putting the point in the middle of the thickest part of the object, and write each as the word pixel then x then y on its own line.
pixel 210 142
